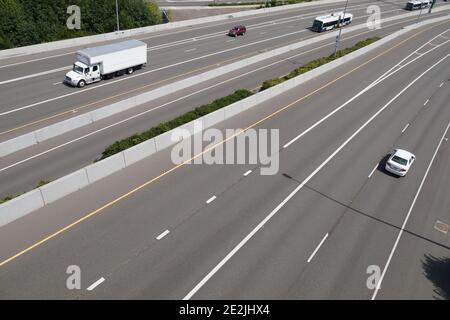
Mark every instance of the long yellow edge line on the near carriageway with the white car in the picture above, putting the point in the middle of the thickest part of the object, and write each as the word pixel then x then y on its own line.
pixel 111 203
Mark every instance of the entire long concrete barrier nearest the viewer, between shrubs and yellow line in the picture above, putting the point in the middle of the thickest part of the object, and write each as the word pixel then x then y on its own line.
pixel 33 200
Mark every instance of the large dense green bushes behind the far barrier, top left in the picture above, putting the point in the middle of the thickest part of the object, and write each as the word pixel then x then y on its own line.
pixel 26 22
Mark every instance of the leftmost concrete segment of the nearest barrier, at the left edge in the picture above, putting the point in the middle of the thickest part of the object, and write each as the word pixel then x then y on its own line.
pixel 20 206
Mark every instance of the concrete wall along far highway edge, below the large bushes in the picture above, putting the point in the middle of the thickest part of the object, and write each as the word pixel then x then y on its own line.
pixel 68 43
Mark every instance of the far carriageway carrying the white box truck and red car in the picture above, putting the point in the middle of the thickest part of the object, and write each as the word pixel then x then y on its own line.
pixel 32 95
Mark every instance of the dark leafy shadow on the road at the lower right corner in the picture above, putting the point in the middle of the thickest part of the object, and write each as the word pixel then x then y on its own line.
pixel 437 270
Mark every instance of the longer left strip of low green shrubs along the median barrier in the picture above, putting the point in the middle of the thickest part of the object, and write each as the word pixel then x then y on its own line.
pixel 198 112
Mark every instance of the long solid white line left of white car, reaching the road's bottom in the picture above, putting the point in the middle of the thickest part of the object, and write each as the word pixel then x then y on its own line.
pixel 294 192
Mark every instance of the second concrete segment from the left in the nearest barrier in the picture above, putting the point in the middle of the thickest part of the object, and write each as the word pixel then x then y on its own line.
pixel 64 186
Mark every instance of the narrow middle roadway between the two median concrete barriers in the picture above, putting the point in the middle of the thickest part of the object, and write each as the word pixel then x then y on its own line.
pixel 72 151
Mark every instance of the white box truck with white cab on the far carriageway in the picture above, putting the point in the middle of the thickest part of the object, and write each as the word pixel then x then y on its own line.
pixel 95 64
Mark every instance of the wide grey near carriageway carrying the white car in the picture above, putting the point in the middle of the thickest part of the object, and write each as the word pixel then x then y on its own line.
pixel 311 231
